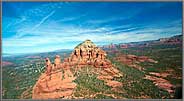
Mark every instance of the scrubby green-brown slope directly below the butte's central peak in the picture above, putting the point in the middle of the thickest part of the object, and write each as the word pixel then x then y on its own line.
pixel 88 84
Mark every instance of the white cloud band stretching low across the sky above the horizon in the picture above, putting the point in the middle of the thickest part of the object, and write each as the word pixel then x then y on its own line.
pixel 70 34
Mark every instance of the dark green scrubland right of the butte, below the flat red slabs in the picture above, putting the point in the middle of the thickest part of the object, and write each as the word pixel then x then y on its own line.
pixel 137 87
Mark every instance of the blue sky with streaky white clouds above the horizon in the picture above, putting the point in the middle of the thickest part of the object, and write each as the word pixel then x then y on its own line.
pixel 30 27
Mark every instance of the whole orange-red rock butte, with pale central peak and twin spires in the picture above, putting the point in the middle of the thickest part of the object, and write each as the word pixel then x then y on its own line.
pixel 57 80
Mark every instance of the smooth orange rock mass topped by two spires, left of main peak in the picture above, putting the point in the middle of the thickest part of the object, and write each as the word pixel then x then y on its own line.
pixel 56 82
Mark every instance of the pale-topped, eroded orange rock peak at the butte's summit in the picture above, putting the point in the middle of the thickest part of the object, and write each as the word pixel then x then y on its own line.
pixel 87 53
